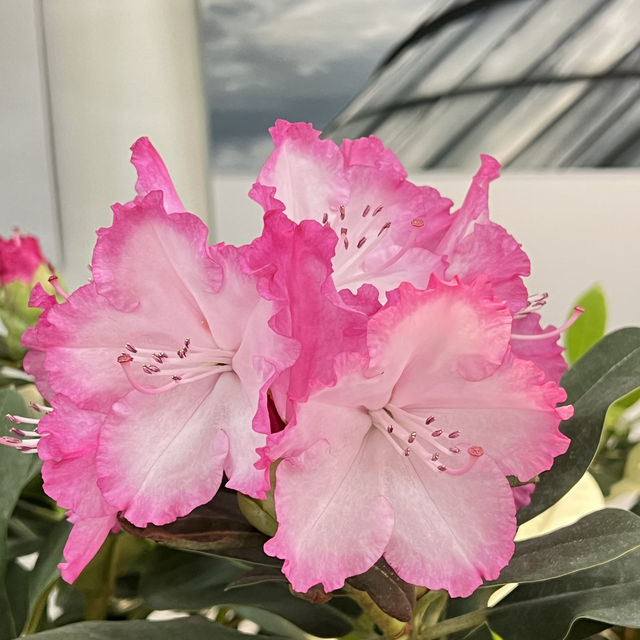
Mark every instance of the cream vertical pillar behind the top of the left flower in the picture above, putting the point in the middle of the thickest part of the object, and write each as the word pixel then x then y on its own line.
pixel 116 71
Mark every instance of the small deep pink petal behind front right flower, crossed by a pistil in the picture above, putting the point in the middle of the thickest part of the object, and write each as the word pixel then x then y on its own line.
pixel 546 354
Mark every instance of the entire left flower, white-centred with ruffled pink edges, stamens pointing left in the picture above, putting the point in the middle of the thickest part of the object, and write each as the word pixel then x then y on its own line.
pixel 160 366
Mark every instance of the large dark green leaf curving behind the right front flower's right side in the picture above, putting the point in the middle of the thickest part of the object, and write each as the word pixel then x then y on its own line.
pixel 604 374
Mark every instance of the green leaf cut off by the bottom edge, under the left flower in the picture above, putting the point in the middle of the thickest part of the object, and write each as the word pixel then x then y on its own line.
pixel 192 628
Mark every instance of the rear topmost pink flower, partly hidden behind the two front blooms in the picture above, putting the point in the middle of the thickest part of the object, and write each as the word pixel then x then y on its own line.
pixel 391 231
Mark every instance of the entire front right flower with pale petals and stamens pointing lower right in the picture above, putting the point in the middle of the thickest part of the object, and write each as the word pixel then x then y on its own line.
pixel 406 456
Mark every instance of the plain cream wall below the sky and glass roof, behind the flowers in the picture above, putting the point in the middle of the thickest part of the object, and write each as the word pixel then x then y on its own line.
pixel 578 227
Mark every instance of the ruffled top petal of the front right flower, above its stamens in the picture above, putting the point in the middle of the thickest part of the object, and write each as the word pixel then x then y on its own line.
pixel 444 334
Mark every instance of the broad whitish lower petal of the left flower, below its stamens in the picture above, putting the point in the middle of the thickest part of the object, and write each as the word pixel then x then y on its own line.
pixel 162 455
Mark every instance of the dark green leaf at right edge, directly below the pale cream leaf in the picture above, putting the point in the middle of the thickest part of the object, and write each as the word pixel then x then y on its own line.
pixel 595 539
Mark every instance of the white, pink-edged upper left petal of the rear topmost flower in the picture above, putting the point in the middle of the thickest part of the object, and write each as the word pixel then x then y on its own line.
pixel 307 173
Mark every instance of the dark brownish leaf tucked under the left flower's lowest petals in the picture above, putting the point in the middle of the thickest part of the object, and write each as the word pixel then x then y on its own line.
pixel 216 528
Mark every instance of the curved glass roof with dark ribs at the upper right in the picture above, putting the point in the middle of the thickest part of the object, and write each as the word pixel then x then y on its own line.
pixel 536 83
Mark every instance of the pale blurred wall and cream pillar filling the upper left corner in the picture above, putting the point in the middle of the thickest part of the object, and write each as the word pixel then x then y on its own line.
pixel 85 80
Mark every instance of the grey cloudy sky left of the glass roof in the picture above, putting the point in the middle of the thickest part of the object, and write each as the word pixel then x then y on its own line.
pixel 292 59
